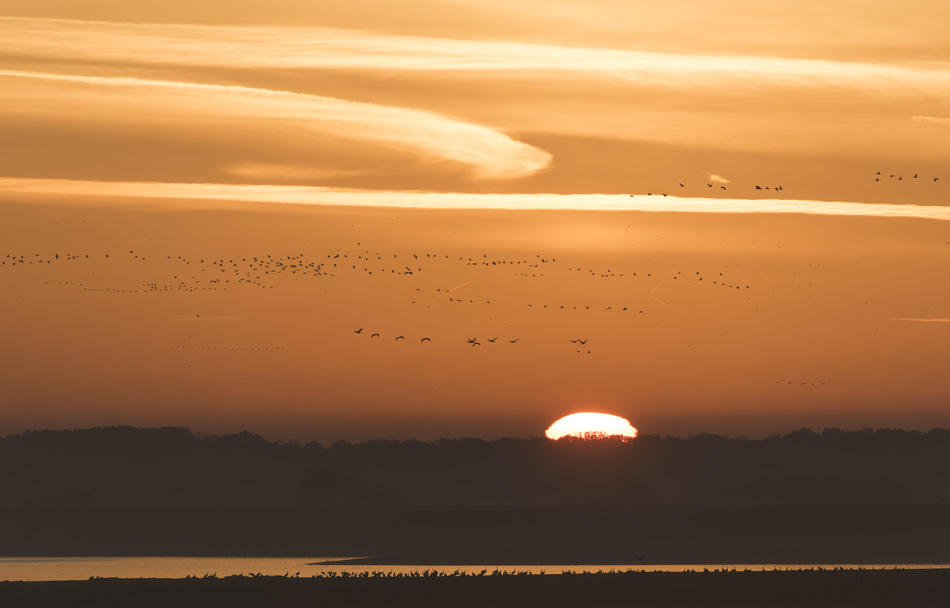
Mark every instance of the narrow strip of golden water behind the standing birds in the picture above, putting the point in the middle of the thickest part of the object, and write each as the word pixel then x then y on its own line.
pixel 81 568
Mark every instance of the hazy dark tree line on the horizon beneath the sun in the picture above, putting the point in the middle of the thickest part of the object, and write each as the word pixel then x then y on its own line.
pixel 173 467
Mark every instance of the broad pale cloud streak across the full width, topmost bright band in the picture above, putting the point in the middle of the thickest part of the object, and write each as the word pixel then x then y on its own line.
pixel 288 47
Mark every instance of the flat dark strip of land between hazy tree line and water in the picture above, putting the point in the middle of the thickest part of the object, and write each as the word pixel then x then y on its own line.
pixel 802 534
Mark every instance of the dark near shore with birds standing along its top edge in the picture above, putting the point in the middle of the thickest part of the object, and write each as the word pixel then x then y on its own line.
pixel 813 588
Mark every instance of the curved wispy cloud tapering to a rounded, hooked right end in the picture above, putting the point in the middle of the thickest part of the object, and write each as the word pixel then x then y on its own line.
pixel 489 152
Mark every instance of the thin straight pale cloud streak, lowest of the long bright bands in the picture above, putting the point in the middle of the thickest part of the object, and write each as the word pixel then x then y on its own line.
pixel 315 195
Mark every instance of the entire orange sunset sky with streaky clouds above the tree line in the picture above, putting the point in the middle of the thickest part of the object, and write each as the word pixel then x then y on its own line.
pixel 252 182
